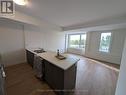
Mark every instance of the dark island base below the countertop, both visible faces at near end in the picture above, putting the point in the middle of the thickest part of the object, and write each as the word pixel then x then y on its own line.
pixel 59 79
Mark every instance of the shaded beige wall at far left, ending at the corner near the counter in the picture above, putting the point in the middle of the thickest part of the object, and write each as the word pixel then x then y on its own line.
pixel 11 42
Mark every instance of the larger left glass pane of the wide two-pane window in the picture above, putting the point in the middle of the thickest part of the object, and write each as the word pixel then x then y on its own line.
pixel 74 41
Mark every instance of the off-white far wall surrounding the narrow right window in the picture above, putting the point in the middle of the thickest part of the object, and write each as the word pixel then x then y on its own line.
pixel 117 43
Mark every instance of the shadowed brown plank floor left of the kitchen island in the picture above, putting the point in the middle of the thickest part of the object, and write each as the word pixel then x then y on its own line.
pixel 21 80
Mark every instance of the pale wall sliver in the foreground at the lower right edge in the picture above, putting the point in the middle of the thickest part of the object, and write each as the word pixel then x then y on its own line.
pixel 121 84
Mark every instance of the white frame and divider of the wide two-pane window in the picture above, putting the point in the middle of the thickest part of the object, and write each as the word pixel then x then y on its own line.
pixel 68 46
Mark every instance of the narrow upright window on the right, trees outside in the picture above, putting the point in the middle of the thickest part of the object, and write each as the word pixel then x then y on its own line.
pixel 105 42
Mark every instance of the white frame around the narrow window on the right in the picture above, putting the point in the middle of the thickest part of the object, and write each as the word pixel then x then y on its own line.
pixel 110 45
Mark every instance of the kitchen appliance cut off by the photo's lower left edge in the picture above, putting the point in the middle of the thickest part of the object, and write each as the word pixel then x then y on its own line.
pixel 2 80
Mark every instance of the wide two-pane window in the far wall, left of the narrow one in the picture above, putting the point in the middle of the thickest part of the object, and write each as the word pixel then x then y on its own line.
pixel 77 40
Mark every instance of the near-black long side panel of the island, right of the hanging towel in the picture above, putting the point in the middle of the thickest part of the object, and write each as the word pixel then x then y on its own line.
pixel 54 76
